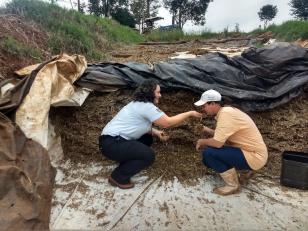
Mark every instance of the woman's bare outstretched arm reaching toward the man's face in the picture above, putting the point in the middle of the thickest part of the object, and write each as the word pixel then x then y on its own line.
pixel 166 121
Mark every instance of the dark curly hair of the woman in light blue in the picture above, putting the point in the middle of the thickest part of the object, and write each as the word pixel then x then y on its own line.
pixel 145 91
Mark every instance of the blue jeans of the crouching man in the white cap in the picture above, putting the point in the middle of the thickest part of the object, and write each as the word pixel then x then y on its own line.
pixel 224 158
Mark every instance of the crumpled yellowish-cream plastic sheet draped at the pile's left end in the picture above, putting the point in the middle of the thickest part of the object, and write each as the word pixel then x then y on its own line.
pixel 53 84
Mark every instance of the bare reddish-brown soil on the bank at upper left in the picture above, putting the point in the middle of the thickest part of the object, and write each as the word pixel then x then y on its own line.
pixel 28 34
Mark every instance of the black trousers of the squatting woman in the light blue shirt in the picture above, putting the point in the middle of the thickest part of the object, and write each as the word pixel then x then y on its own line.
pixel 132 155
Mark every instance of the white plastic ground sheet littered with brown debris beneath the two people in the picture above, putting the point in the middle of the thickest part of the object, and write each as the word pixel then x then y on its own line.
pixel 83 200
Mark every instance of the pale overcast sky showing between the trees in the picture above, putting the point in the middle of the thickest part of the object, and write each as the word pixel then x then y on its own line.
pixel 226 13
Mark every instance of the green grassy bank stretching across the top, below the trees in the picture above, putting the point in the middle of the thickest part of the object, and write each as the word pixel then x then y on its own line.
pixel 90 35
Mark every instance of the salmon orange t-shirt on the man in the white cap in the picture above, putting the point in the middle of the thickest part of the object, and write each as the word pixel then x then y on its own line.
pixel 238 130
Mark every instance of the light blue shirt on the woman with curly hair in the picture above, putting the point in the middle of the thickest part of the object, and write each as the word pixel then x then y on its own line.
pixel 133 120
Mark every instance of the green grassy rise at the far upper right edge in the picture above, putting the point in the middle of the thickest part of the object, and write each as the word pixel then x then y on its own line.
pixel 288 31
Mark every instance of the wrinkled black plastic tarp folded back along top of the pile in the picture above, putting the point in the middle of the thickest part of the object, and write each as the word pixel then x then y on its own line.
pixel 259 79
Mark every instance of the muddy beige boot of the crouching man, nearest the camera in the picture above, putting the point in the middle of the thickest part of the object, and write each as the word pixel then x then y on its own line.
pixel 232 184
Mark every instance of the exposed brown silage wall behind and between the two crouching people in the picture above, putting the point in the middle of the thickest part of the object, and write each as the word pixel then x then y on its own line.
pixel 283 128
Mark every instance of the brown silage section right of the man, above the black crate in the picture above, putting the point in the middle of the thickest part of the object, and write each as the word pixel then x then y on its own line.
pixel 284 129
